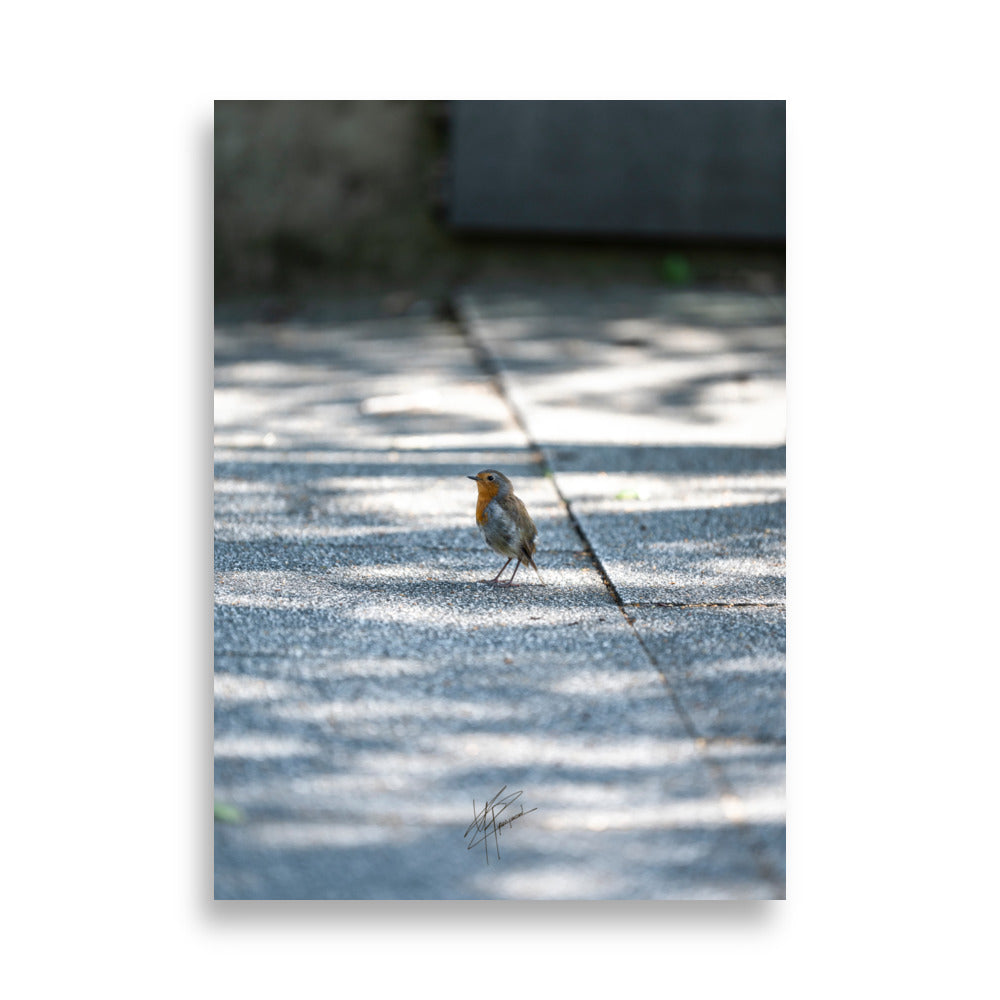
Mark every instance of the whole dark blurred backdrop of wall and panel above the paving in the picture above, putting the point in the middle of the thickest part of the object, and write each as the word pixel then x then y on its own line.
pixel 400 202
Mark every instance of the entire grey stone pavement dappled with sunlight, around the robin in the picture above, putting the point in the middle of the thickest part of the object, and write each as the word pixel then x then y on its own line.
pixel 368 686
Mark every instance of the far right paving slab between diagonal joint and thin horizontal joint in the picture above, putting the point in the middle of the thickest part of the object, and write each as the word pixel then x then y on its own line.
pixel 663 417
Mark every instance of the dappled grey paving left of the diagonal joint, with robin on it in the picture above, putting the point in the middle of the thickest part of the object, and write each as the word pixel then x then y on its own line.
pixel 369 686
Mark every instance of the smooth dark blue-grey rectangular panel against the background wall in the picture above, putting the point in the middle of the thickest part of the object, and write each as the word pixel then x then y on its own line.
pixel 709 169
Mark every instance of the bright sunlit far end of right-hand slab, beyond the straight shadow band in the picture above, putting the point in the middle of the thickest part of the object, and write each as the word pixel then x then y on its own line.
pixel 699 372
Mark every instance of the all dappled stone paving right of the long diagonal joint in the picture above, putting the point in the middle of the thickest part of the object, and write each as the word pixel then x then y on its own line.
pixel 661 415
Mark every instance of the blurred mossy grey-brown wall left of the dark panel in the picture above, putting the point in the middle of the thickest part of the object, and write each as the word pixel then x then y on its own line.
pixel 316 191
